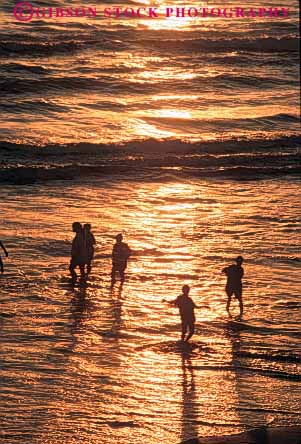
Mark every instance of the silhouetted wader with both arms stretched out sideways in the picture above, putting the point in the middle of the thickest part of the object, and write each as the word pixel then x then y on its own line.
pixel 186 308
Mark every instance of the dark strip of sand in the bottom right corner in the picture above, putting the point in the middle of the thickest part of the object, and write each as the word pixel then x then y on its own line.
pixel 276 435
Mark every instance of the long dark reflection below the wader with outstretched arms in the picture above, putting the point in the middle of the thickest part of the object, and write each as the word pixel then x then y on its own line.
pixel 189 403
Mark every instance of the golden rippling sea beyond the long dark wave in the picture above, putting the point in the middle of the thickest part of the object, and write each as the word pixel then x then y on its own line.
pixel 105 80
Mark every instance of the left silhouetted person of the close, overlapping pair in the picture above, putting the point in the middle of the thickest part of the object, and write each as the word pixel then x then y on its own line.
pixel 78 257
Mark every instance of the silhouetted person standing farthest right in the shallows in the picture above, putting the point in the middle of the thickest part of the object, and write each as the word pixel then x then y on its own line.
pixel 234 275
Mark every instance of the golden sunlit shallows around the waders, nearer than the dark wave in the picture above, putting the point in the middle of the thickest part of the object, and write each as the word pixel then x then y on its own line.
pixel 93 365
